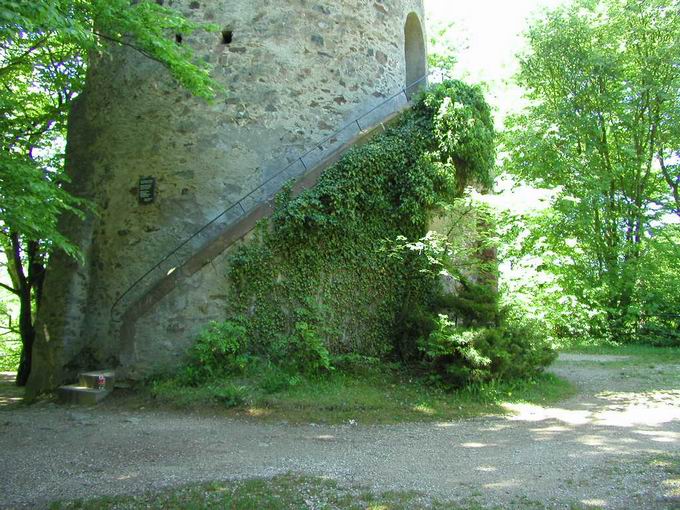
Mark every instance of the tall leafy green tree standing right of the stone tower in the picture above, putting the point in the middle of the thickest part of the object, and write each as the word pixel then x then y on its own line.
pixel 603 128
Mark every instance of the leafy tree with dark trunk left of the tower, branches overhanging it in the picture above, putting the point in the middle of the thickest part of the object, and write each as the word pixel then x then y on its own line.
pixel 45 47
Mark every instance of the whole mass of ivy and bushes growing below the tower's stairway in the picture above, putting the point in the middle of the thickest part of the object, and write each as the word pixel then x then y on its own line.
pixel 348 267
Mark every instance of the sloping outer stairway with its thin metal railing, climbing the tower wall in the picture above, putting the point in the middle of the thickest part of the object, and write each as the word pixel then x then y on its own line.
pixel 173 261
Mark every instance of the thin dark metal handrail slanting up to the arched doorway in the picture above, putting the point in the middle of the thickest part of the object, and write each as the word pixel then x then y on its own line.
pixel 239 202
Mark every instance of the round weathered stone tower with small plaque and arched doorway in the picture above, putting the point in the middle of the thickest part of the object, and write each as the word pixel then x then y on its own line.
pixel 160 164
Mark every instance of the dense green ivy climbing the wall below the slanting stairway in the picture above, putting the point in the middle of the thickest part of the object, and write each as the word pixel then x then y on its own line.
pixel 319 264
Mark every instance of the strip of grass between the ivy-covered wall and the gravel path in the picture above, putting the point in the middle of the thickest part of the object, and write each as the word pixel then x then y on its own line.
pixel 381 395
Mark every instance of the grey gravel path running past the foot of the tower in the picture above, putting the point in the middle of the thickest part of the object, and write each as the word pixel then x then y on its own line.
pixel 593 450
